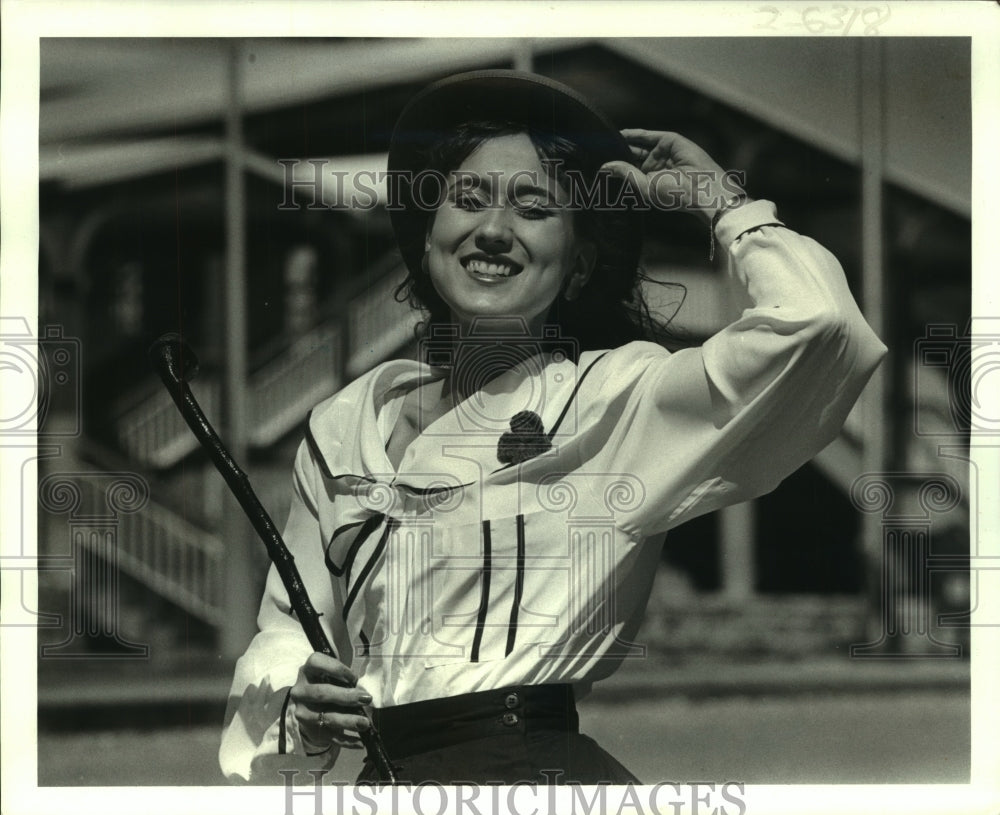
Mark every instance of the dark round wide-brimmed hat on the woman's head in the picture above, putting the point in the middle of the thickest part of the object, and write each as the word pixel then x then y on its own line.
pixel 537 102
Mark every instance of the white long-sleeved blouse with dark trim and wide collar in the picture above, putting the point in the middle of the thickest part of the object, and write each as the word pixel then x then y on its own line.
pixel 455 573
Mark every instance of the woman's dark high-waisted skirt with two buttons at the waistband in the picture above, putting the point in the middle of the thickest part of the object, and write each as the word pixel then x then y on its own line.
pixel 514 734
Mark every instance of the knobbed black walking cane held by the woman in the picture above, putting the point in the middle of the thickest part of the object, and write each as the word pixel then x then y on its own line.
pixel 176 363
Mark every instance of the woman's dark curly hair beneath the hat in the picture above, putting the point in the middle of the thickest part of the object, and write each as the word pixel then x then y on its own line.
pixel 611 309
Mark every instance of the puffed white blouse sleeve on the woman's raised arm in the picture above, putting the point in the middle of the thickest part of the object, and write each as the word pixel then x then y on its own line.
pixel 711 426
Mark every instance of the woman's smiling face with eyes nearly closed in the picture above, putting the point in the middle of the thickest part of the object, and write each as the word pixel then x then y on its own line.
pixel 503 241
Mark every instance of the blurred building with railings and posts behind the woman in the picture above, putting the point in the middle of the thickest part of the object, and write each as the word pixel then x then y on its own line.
pixel 173 173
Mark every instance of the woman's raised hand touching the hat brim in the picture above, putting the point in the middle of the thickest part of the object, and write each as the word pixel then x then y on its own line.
pixel 672 172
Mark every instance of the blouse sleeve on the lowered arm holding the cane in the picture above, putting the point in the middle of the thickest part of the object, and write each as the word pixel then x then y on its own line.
pixel 259 735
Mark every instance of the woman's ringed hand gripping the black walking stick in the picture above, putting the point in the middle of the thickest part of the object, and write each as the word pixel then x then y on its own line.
pixel 328 703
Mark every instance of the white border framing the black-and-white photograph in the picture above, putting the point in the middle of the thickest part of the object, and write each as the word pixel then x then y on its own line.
pixel 24 23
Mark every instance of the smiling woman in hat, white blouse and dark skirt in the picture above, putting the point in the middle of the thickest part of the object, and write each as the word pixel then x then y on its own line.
pixel 480 530
